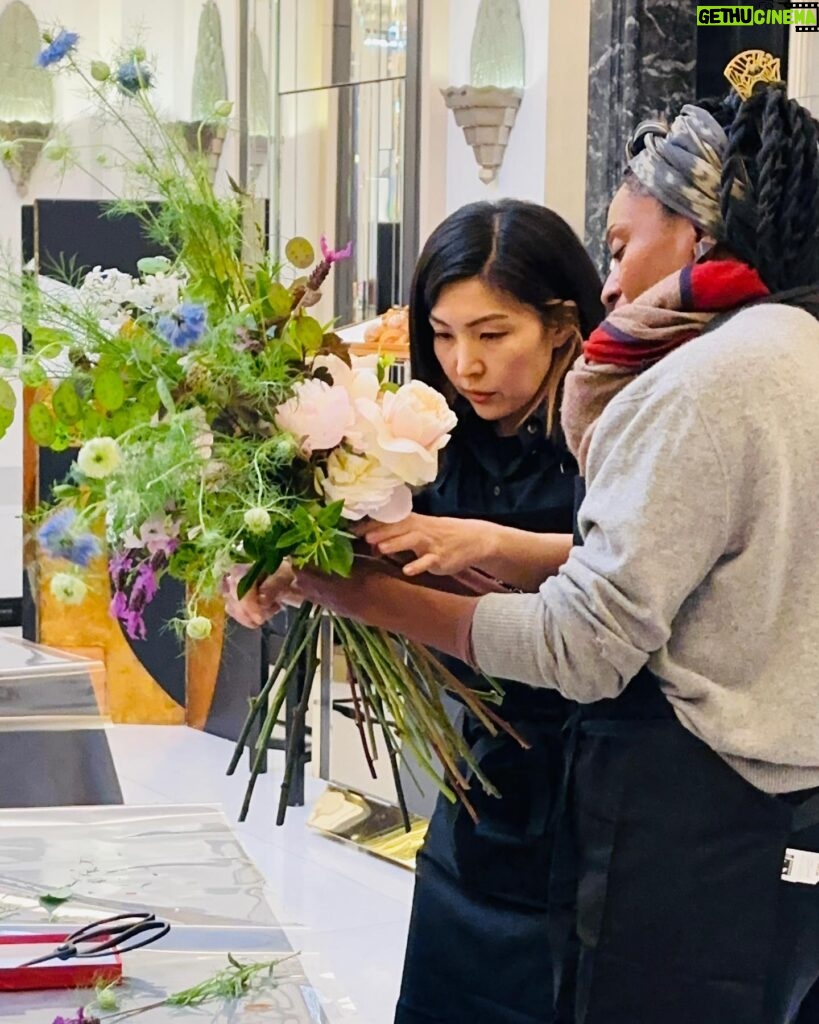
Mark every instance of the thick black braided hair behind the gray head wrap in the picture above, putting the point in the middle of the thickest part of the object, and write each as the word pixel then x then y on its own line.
pixel 773 151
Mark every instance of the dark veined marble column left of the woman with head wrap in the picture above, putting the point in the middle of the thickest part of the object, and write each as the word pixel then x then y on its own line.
pixel 642 62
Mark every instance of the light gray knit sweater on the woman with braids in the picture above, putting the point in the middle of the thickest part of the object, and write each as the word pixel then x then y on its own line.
pixel 701 552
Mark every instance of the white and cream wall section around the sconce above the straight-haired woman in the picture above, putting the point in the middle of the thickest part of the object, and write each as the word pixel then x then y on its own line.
pixel 545 161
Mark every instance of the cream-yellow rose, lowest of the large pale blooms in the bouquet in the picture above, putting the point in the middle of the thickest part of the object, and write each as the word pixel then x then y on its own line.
pixel 367 488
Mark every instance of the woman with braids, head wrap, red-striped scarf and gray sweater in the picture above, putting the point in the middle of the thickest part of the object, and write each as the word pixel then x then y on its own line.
pixel 685 624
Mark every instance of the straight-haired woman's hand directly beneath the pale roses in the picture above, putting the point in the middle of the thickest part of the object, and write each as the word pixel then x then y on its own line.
pixel 442 546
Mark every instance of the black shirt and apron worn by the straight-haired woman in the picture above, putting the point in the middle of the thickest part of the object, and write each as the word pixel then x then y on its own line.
pixel 479 949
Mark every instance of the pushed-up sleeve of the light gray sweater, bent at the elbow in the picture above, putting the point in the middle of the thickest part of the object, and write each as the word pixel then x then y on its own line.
pixel 655 523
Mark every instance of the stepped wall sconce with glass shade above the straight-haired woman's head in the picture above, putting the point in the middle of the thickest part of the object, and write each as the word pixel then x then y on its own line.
pixel 488 108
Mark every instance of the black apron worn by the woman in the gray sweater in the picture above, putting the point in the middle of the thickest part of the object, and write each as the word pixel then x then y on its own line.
pixel 668 900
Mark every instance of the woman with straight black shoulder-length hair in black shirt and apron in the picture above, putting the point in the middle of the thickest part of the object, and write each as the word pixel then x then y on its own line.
pixel 502 295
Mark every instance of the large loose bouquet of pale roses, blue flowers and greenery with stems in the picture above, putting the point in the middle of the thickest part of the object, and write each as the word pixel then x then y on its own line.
pixel 218 422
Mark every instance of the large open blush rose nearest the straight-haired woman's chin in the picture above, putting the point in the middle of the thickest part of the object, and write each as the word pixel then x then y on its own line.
pixel 408 430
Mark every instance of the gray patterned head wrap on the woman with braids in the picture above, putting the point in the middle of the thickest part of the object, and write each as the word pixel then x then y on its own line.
pixel 682 167
